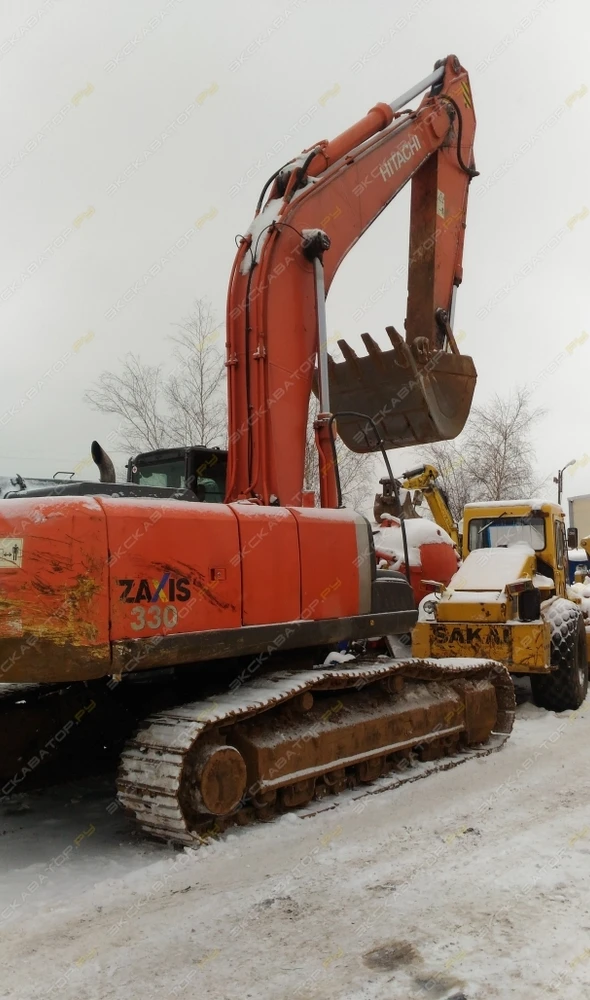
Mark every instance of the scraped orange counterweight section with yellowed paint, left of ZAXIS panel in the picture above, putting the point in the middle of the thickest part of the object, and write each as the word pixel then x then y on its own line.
pixel 54 602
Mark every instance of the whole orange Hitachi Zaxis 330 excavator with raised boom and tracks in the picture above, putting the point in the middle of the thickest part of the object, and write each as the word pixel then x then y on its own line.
pixel 255 624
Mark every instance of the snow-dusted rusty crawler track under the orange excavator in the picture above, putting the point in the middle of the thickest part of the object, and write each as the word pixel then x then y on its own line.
pixel 277 742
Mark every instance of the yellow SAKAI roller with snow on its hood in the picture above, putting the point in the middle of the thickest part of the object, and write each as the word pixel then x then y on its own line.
pixel 509 601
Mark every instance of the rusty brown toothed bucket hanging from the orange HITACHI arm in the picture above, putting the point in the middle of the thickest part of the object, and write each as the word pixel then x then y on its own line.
pixel 413 397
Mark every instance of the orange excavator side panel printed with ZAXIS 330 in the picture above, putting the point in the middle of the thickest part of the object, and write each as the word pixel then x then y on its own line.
pixel 171 567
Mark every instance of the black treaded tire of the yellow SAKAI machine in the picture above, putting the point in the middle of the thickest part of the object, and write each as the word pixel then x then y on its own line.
pixel 567 685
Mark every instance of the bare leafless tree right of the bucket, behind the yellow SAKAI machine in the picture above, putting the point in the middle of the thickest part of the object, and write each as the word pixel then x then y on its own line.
pixel 493 459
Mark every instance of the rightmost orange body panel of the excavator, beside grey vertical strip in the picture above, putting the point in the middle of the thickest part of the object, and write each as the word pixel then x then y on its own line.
pixel 336 567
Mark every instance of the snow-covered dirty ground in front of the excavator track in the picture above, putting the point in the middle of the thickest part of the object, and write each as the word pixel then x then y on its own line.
pixel 472 883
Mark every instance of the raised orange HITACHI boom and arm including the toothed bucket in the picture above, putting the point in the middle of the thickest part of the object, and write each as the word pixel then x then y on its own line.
pixel 318 206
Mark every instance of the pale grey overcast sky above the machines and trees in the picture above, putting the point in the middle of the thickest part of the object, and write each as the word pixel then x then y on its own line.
pixel 239 88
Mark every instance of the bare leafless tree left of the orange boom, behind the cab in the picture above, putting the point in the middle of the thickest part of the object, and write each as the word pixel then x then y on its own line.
pixel 184 407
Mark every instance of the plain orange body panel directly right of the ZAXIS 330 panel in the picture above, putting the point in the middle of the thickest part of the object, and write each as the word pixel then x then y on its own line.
pixel 268 557
